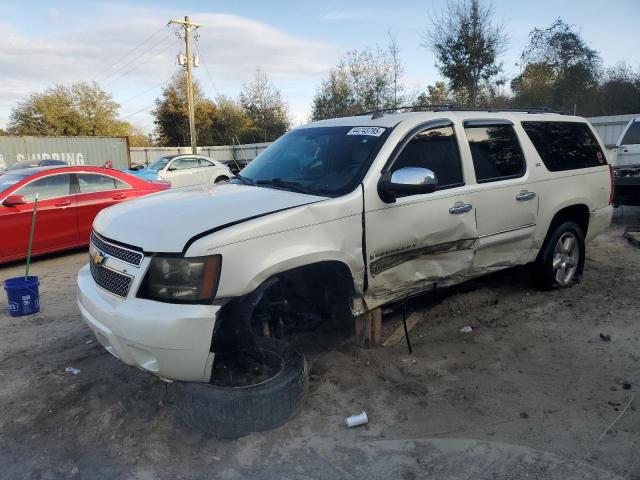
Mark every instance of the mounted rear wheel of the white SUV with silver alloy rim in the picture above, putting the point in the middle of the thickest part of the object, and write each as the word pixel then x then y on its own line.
pixel 561 261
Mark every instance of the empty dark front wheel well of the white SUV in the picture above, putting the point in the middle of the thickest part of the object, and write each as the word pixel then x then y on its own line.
pixel 293 300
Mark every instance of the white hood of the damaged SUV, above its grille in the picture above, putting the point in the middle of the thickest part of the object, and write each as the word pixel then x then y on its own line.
pixel 166 221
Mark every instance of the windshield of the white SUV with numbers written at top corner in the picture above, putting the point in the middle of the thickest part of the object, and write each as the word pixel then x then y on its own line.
pixel 323 160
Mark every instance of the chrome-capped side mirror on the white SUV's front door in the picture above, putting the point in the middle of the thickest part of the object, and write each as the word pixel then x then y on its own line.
pixel 406 181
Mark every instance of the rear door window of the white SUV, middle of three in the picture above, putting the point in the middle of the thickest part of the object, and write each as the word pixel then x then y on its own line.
pixel 496 152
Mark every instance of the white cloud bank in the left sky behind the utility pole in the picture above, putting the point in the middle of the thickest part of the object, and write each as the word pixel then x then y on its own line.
pixel 83 49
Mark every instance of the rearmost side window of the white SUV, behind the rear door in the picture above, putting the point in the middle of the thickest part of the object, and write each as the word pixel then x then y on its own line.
pixel 565 145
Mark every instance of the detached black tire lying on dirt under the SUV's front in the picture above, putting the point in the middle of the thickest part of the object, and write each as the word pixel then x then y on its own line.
pixel 232 412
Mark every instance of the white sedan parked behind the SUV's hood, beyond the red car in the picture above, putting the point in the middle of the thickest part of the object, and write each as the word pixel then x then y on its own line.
pixel 185 170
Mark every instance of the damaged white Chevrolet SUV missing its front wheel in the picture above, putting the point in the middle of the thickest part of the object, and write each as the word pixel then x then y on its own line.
pixel 341 216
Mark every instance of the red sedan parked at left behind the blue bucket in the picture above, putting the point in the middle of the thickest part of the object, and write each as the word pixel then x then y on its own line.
pixel 68 200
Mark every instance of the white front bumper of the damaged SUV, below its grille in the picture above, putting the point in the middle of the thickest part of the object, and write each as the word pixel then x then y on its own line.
pixel 168 340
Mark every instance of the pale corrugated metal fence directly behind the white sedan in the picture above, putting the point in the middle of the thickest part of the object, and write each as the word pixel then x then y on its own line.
pixel 224 153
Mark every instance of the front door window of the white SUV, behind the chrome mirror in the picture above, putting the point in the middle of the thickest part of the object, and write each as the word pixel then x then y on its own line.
pixel 437 150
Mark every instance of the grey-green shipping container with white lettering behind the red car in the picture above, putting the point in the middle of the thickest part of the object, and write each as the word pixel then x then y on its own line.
pixel 74 150
